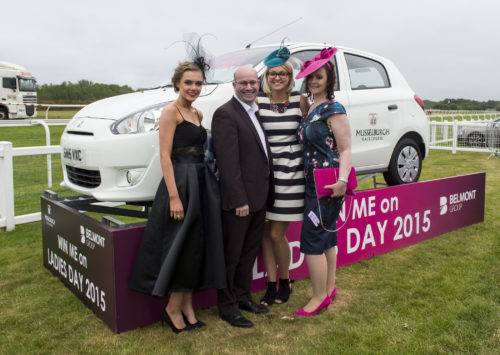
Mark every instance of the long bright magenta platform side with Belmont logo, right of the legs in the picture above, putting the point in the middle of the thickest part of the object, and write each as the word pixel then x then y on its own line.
pixel 390 218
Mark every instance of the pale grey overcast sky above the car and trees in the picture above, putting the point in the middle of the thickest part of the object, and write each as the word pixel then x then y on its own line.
pixel 444 48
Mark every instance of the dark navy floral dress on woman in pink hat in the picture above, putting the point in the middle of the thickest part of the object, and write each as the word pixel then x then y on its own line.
pixel 319 152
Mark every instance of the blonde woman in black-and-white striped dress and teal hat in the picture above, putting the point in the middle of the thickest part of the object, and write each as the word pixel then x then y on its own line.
pixel 281 110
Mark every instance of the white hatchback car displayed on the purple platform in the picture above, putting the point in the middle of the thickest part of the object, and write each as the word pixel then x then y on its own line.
pixel 110 147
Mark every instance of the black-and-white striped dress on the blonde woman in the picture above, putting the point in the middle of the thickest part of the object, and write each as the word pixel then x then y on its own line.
pixel 280 129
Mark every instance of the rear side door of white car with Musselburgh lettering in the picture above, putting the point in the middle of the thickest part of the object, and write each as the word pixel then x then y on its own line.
pixel 372 110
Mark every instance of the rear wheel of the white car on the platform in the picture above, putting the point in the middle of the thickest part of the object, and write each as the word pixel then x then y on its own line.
pixel 405 165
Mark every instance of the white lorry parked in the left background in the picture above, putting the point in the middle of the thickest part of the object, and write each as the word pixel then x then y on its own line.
pixel 18 97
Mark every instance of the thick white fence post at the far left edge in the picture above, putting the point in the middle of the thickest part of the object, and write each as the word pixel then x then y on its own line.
pixel 6 186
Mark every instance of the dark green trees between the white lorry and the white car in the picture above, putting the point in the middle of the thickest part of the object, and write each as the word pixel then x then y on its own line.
pixel 82 92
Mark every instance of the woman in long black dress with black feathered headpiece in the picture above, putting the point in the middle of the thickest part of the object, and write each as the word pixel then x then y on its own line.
pixel 181 249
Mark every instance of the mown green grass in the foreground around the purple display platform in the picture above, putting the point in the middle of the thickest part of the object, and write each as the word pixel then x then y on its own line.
pixel 440 296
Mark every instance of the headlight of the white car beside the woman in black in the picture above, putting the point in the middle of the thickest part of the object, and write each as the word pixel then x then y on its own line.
pixel 143 121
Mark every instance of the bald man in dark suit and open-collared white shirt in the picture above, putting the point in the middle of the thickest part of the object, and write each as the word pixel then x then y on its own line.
pixel 245 167
